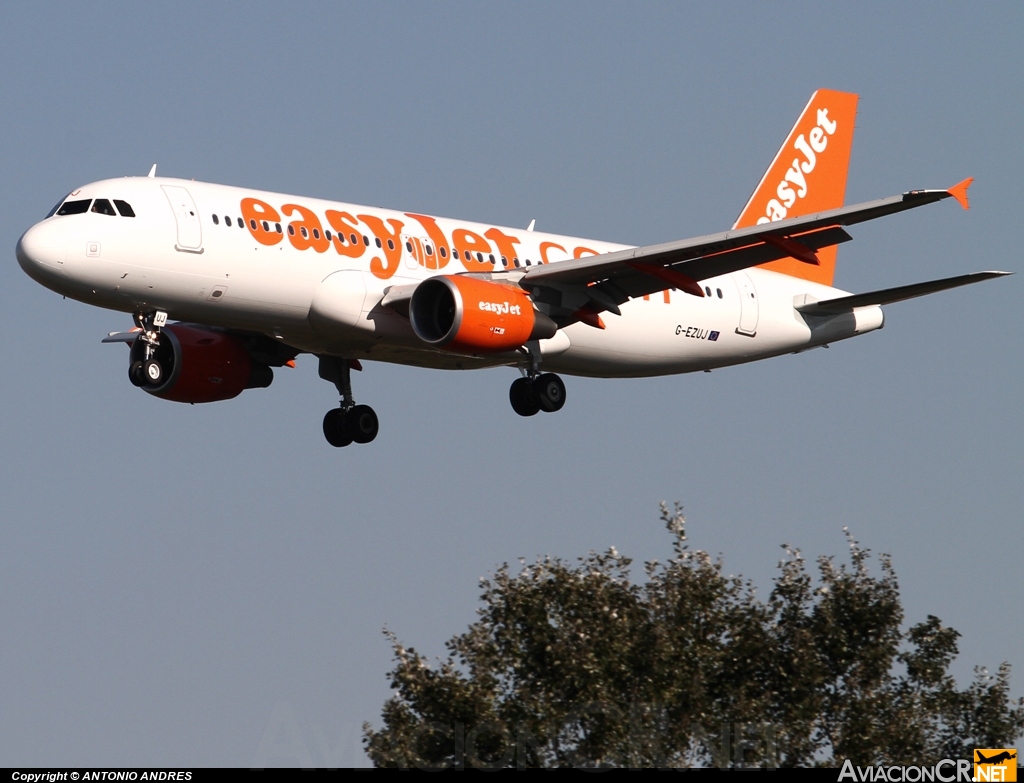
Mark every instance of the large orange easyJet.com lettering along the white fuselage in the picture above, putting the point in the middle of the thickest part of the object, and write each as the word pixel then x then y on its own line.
pixel 356 236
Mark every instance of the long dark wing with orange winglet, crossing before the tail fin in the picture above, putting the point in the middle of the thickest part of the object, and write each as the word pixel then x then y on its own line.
pixel 575 288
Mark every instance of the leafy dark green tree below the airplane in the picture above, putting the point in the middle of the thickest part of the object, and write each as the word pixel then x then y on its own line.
pixel 573 665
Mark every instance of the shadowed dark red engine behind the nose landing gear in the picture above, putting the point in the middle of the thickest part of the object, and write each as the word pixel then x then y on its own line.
pixel 203 366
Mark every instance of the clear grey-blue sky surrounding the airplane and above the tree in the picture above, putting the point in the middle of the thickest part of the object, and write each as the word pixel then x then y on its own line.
pixel 181 584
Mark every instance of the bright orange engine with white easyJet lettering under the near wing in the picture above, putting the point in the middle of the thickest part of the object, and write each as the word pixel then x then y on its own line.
pixel 470 316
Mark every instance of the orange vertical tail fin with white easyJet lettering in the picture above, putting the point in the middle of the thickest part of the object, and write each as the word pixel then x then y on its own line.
pixel 808 176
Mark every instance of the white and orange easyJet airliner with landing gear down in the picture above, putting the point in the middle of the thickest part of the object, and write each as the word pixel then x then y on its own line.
pixel 254 279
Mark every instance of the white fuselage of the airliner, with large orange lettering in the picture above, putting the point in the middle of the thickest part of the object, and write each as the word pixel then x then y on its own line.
pixel 324 296
